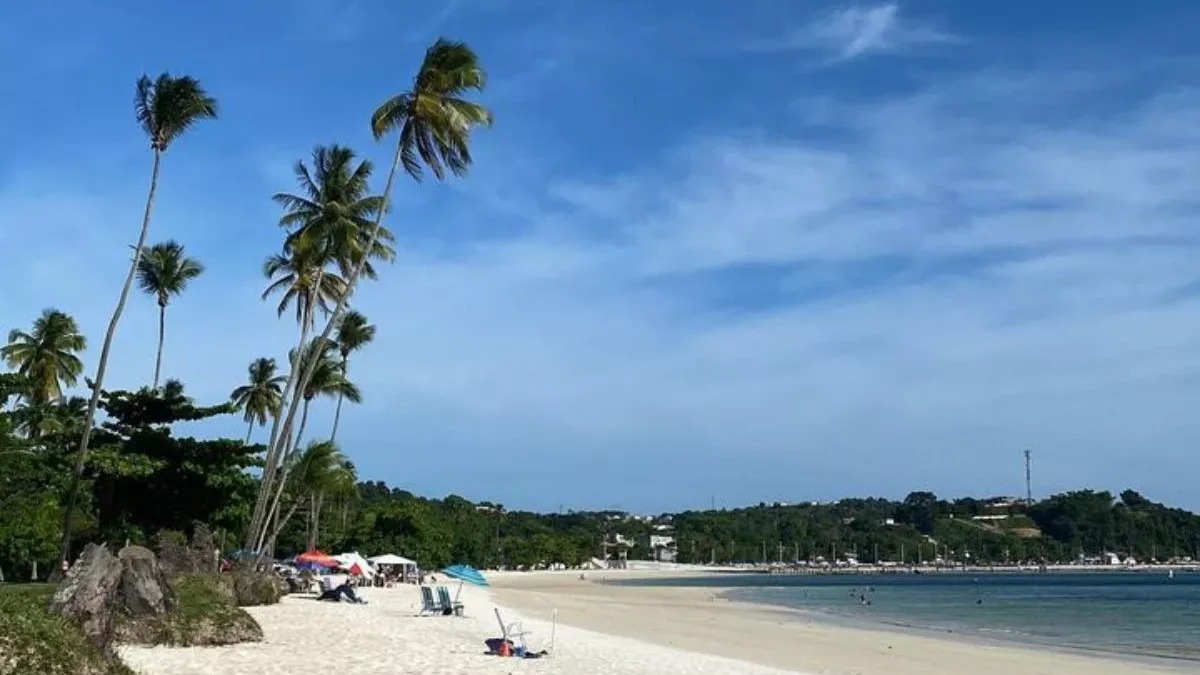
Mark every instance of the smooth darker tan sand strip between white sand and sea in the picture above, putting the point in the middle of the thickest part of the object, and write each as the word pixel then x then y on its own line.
pixel 699 620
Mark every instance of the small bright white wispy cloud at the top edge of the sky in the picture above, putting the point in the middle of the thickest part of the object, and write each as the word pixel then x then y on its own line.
pixel 856 32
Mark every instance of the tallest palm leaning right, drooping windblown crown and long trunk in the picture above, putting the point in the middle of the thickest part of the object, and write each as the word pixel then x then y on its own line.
pixel 435 122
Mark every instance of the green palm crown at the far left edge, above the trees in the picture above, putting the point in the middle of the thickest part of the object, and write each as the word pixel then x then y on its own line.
pixel 46 357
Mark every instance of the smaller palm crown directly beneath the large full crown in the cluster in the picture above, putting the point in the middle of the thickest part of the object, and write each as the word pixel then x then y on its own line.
pixel 299 273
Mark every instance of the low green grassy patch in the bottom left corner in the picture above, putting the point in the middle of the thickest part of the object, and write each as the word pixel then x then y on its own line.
pixel 34 641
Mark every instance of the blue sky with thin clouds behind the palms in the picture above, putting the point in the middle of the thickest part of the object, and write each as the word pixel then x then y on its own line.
pixel 742 252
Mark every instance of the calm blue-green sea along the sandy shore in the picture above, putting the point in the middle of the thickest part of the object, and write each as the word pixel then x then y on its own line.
pixel 1136 613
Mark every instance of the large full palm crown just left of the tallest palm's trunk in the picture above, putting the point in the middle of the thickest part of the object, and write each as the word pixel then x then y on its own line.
pixel 334 210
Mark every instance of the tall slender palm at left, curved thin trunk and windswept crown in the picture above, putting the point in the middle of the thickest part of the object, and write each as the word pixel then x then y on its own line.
pixel 165 107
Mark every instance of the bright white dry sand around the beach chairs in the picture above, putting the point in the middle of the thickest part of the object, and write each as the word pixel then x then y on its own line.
pixel 386 637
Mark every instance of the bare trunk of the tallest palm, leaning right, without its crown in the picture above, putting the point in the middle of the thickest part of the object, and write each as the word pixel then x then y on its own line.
pixel 295 391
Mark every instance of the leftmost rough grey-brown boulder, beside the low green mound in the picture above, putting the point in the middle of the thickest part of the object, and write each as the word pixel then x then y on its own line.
pixel 89 595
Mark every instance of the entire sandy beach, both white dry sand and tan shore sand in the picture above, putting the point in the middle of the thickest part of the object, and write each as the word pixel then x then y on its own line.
pixel 603 628
